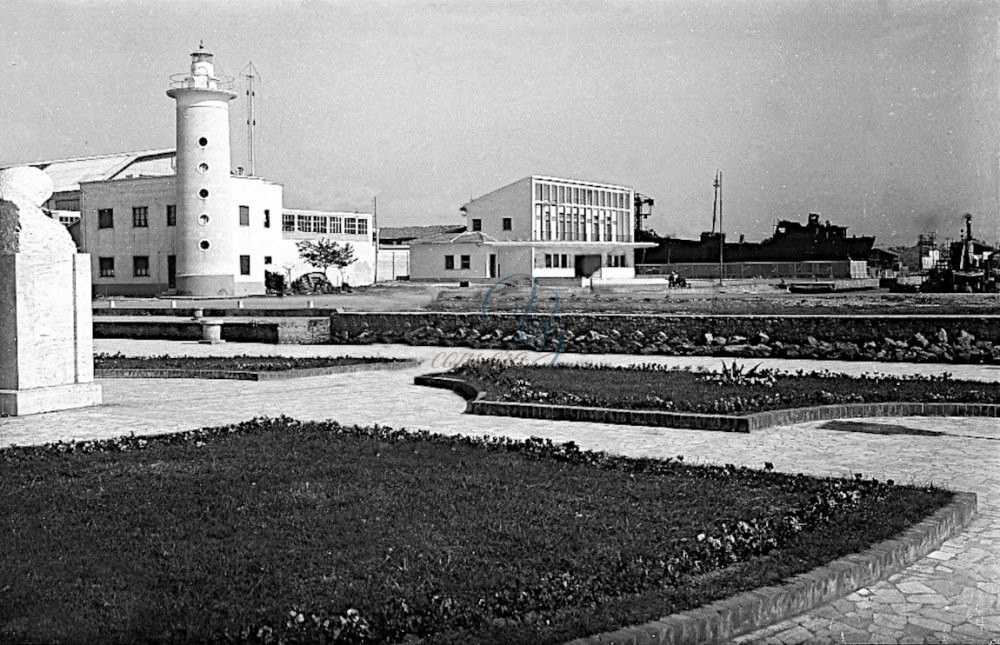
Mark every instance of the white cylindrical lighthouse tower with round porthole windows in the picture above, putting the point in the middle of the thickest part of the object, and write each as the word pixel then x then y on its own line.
pixel 207 219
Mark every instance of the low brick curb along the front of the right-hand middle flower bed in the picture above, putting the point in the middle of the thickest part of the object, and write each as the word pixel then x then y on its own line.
pixel 693 421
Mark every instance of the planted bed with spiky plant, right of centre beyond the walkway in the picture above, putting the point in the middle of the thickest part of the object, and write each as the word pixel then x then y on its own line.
pixel 734 391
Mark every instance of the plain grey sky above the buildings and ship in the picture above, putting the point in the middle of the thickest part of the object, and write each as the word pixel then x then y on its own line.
pixel 882 116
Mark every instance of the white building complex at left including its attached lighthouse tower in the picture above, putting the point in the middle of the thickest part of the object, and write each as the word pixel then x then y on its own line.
pixel 181 221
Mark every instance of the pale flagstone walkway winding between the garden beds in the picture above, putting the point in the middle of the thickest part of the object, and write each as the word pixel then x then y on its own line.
pixel 952 595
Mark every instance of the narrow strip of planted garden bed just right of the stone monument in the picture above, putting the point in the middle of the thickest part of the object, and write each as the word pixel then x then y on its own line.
pixel 240 363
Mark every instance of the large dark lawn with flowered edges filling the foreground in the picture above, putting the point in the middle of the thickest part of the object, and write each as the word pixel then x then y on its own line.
pixel 233 533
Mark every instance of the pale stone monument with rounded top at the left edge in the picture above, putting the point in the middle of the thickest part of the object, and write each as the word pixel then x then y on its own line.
pixel 46 330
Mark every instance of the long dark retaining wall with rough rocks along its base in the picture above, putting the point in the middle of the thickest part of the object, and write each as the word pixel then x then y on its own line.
pixel 937 339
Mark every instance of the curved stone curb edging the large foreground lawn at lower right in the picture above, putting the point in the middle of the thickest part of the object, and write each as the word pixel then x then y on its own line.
pixel 759 608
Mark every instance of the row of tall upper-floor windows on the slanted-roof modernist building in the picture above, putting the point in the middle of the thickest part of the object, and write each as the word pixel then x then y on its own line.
pixel 572 223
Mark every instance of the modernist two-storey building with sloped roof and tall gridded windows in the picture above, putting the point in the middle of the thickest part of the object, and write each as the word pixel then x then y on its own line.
pixel 550 228
